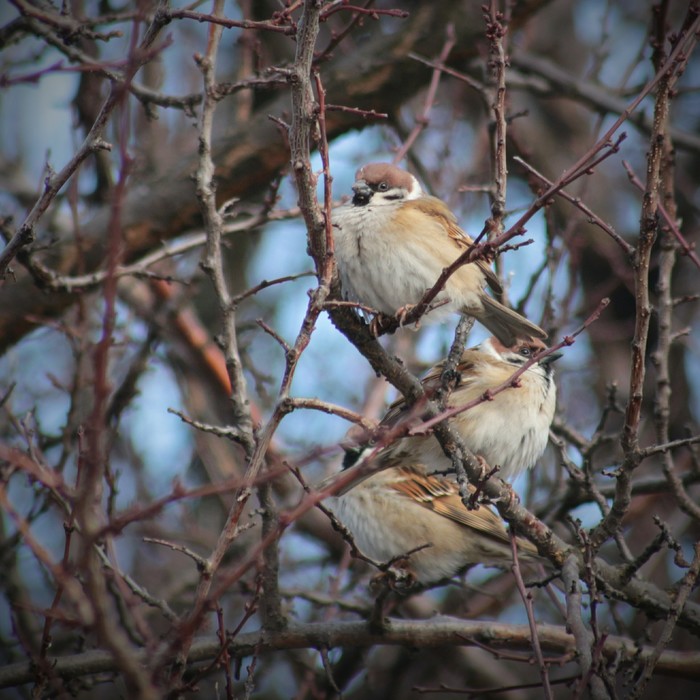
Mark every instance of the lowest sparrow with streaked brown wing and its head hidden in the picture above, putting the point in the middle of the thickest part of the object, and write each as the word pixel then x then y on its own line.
pixel 404 511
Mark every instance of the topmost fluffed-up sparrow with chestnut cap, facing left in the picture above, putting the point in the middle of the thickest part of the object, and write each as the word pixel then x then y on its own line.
pixel 392 243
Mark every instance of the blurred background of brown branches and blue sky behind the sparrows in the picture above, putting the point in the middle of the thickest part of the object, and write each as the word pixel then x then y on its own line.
pixel 574 67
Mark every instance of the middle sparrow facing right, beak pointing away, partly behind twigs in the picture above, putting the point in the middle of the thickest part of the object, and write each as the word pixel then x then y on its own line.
pixel 509 430
